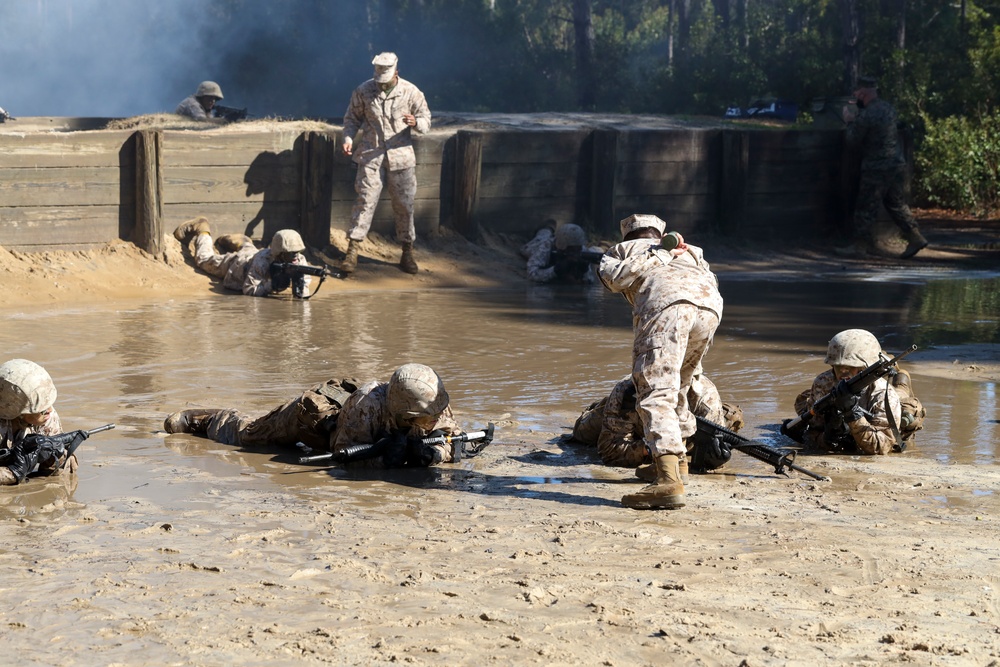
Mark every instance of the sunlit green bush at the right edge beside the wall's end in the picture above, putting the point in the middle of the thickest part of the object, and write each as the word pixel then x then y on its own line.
pixel 958 164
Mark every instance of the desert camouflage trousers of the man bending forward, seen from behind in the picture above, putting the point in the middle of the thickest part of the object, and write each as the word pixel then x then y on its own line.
pixel 663 377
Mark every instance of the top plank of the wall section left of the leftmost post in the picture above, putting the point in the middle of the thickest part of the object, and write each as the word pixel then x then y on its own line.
pixel 75 150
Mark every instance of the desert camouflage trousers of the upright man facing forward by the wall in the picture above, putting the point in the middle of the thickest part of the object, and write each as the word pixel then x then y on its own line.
pixel 368 184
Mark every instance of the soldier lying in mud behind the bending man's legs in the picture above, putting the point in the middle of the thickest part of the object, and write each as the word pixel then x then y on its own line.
pixel 613 426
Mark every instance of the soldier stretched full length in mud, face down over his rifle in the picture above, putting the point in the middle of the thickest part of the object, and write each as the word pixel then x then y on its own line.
pixel 339 414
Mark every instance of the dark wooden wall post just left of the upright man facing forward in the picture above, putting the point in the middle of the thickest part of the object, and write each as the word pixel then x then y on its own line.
pixel 316 196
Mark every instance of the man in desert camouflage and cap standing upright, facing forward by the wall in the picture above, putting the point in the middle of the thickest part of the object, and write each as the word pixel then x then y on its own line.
pixel 386 109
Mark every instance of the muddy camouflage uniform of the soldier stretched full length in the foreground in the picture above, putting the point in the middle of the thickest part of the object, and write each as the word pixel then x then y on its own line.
pixel 327 417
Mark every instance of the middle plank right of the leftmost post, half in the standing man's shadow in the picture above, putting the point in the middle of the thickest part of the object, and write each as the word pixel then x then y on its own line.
pixel 220 184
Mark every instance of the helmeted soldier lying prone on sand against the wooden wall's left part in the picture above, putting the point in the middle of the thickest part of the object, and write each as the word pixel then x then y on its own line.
pixel 240 265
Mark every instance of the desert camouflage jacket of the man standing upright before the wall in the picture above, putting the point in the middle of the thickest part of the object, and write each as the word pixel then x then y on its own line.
pixel 379 115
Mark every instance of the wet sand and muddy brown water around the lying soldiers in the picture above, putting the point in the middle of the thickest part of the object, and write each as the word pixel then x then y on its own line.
pixel 175 550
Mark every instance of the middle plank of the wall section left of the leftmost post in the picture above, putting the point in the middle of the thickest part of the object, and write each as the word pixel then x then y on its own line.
pixel 69 186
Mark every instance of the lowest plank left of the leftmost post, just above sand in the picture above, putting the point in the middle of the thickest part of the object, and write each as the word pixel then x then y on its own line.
pixel 31 226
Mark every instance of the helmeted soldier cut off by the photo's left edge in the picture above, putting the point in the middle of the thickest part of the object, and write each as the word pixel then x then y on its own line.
pixel 27 400
